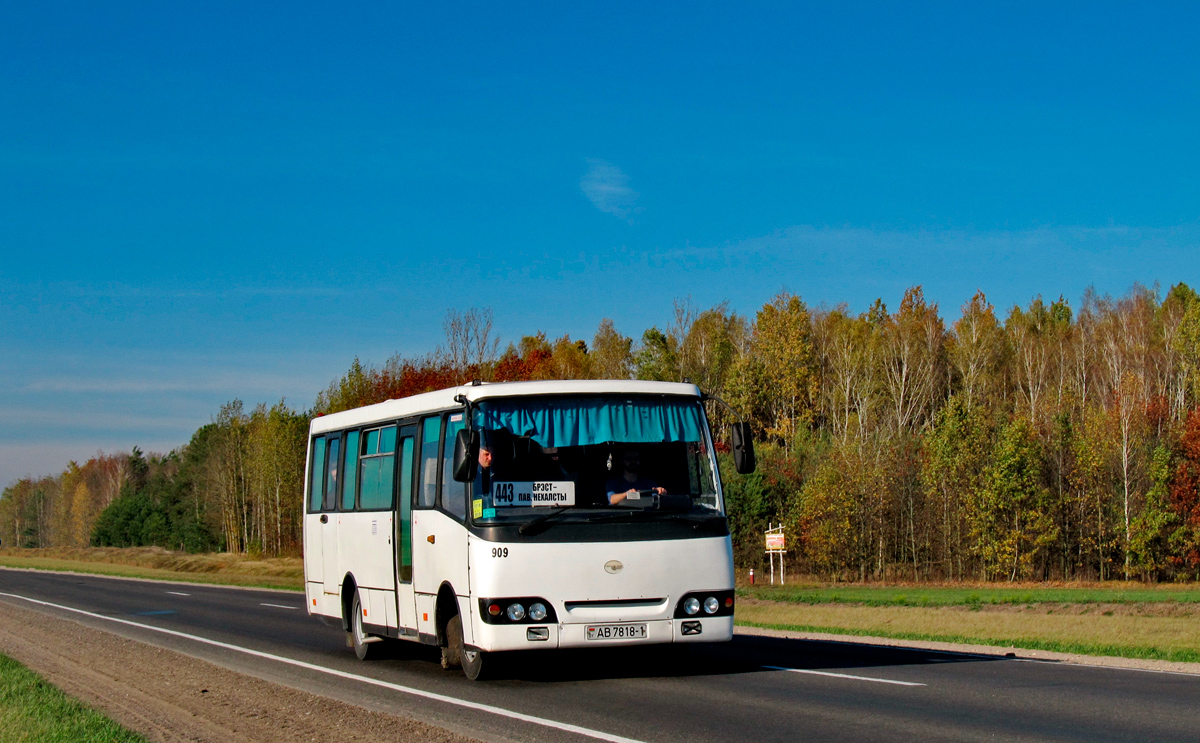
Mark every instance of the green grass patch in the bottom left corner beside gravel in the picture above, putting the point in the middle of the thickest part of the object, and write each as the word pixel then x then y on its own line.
pixel 34 711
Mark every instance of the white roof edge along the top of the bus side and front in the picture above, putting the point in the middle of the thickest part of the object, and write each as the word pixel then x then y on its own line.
pixel 442 400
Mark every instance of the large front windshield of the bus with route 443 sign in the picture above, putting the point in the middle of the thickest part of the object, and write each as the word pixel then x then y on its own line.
pixel 592 457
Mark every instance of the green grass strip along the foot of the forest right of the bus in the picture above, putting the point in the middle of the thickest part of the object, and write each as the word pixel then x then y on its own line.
pixel 974 596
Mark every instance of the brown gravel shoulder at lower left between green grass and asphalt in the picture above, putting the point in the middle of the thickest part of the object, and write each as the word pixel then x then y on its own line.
pixel 173 698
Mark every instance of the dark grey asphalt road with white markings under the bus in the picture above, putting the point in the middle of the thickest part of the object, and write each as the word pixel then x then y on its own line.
pixel 755 690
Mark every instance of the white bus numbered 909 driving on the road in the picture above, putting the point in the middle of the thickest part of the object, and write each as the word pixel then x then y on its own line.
pixel 524 516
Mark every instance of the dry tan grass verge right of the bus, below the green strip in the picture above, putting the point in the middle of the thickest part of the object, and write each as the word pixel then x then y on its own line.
pixel 1091 630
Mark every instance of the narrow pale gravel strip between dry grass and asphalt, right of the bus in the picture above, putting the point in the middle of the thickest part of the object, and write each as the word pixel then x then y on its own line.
pixel 985 650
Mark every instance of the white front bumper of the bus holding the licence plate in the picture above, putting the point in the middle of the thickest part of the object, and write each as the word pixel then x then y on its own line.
pixel 535 637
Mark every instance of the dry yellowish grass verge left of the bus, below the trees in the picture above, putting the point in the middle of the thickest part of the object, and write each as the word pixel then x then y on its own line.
pixel 164 565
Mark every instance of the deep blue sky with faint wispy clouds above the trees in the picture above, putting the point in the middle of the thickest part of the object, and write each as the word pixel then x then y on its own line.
pixel 211 201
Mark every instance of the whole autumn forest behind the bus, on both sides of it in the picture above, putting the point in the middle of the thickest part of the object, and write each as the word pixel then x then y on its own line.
pixel 1052 442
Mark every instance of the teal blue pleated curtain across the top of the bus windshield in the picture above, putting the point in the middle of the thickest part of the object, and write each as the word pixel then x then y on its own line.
pixel 573 422
